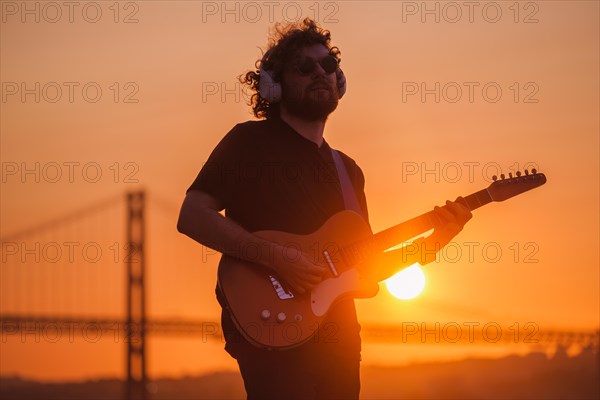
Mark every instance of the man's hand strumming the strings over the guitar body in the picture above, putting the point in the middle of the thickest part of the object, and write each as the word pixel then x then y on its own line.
pixel 296 268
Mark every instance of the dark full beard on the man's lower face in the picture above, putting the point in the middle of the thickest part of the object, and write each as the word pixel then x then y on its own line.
pixel 315 103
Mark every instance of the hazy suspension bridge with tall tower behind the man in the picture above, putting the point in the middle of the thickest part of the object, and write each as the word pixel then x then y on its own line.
pixel 86 273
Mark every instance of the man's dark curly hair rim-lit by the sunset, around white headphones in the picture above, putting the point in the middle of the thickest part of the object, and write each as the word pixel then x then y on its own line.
pixel 284 44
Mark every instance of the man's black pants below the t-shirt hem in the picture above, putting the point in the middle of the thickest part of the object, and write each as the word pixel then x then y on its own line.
pixel 301 373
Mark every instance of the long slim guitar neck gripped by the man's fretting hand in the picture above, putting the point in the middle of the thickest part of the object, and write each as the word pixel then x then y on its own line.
pixel 390 237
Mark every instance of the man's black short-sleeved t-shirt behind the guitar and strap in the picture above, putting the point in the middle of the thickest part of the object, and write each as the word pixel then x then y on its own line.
pixel 269 177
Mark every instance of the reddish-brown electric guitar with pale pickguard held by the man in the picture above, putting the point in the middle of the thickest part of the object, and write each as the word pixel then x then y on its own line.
pixel 270 315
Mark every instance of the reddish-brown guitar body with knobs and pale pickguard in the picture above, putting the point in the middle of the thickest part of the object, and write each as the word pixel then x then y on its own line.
pixel 266 311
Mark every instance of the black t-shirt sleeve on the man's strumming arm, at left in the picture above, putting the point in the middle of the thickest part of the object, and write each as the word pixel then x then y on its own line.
pixel 219 176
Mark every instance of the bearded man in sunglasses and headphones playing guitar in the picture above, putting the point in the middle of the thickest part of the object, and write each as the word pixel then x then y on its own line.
pixel 280 174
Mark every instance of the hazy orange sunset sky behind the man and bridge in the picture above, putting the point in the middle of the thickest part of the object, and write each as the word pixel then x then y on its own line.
pixel 543 56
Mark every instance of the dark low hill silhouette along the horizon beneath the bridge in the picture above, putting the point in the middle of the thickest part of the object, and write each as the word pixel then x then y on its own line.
pixel 515 377
